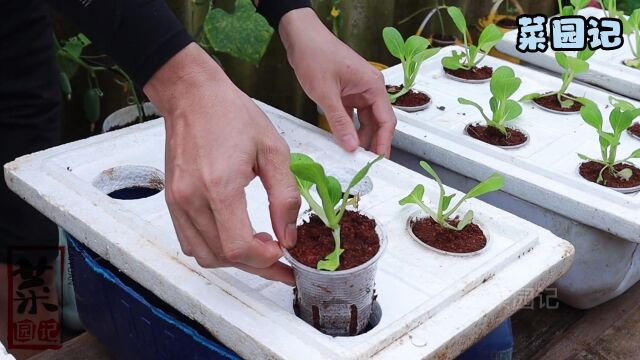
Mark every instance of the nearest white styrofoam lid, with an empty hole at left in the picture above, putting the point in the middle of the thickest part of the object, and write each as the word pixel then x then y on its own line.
pixel 432 305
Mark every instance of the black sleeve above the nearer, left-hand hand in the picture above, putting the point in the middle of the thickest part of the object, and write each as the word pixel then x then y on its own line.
pixel 140 35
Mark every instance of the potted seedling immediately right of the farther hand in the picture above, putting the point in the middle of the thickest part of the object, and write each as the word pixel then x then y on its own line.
pixel 412 54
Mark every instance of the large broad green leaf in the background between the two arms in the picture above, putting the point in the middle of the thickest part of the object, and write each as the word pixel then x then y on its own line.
pixel 244 34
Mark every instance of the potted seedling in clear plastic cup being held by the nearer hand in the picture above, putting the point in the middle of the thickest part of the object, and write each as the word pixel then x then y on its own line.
pixel 337 252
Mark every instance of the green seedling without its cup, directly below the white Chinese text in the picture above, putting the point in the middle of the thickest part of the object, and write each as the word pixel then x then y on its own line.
pixel 572 66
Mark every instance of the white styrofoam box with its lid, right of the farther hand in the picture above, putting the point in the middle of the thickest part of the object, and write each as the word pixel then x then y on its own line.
pixel 542 173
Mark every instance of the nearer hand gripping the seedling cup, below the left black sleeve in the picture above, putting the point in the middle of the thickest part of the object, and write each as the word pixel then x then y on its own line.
pixel 217 141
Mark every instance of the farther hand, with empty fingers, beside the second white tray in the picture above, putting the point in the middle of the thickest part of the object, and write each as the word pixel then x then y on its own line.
pixel 339 81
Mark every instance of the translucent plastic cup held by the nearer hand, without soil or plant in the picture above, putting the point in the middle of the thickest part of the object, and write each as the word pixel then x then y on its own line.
pixel 337 303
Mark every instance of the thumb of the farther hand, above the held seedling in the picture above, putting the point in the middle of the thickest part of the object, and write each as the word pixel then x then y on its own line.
pixel 341 124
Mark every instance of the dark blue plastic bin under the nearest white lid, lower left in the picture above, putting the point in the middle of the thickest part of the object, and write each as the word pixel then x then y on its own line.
pixel 130 320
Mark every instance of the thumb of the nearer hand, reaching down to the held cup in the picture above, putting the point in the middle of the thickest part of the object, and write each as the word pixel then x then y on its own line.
pixel 278 181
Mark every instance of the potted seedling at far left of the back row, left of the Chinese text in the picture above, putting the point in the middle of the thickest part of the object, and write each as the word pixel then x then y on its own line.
pixel 463 65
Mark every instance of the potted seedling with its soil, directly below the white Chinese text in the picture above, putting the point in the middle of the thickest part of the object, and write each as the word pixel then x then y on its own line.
pixel 561 101
